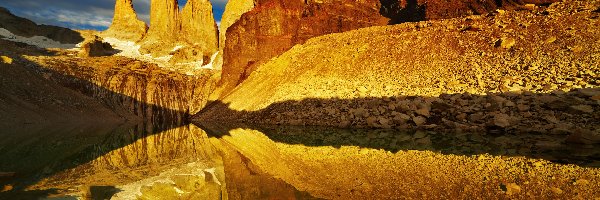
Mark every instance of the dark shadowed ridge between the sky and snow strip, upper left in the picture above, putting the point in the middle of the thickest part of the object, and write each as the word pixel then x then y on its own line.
pixel 27 28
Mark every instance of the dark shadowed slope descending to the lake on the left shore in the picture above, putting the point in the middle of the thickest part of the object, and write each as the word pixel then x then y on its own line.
pixel 29 98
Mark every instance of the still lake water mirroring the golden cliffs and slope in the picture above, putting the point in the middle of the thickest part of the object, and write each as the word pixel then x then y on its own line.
pixel 258 162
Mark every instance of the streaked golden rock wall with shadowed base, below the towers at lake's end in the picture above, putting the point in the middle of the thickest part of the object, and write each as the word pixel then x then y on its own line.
pixel 154 94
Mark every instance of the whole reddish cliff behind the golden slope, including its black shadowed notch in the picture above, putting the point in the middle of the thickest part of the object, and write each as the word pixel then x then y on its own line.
pixel 274 26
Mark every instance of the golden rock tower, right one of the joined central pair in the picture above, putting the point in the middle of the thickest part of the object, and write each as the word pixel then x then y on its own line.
pixel 198 26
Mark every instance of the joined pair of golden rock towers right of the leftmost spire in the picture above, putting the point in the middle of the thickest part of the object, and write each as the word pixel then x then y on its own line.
pixel 191 30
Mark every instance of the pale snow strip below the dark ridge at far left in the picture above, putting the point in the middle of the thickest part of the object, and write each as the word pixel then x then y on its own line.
pixel 39 41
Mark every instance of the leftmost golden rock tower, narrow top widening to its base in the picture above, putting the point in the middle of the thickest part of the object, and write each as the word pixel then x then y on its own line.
pixel 126 25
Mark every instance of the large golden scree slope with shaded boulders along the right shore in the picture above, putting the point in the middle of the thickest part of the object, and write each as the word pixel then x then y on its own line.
pixel 506 71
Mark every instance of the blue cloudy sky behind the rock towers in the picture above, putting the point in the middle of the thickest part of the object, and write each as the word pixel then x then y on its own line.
pixel 84 14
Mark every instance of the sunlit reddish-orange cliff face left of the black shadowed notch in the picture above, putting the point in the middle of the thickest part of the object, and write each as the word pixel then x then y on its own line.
pixel 274 26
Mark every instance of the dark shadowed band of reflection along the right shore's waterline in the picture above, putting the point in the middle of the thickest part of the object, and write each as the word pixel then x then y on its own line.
pixel 541 146
